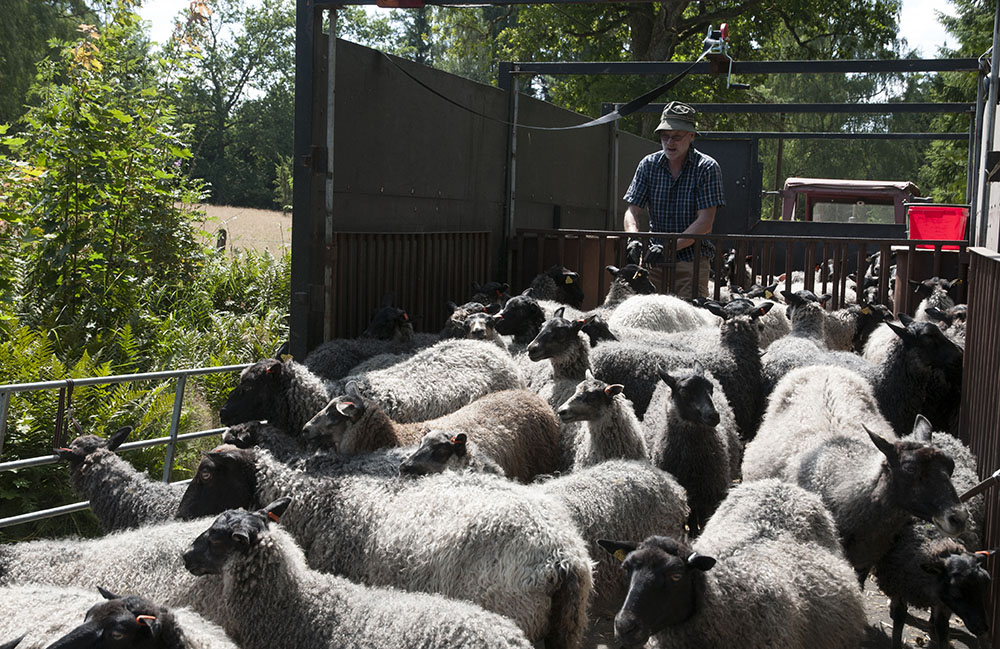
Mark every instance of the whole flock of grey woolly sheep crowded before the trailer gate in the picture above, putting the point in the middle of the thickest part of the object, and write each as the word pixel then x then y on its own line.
pixel 719 474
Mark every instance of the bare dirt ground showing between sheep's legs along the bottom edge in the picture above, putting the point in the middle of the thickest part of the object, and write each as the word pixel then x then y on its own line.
pixel 878 634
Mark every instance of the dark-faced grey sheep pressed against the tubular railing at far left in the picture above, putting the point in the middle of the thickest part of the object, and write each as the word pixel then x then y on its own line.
pixel 119 496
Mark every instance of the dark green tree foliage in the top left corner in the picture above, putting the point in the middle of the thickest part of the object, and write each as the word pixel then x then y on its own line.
pixel 25 31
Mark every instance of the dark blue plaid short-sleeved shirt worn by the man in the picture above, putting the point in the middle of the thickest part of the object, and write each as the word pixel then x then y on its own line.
pixel 673 203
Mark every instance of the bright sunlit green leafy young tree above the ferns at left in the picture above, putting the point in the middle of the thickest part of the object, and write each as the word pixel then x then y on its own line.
pixel 93 184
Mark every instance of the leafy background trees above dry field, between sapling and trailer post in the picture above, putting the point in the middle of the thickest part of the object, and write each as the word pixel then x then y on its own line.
pixel 243 52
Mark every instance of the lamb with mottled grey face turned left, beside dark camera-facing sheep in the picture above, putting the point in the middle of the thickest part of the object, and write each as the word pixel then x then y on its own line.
pixel 610 428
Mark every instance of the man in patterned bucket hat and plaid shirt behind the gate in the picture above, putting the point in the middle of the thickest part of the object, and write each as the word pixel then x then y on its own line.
pixel 682 188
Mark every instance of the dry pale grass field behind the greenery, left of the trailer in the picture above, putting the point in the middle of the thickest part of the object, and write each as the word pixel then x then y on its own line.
pixel 249 229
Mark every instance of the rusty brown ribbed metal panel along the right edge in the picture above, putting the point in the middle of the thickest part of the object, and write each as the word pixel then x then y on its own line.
pixel 980 419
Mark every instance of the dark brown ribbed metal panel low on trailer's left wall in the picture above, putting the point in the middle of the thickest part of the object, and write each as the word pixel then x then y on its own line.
pixel 423 270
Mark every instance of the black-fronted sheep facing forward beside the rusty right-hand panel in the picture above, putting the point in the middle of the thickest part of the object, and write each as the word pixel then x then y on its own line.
pixel 922 375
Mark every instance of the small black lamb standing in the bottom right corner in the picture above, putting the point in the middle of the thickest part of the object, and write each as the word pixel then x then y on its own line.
pixel 929 571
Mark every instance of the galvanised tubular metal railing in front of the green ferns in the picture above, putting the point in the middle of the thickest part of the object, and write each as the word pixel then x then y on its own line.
pixel 171 440
